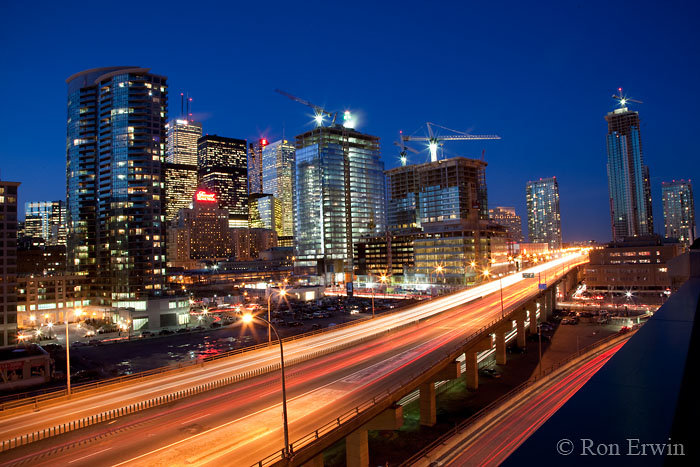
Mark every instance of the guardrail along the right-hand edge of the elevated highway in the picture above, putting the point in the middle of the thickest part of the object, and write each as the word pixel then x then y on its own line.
pixel 387 394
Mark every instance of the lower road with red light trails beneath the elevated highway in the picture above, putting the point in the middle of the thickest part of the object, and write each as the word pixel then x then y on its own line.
pixel 492 438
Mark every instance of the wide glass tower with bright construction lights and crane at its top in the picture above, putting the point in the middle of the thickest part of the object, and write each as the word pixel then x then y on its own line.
pixel 339 192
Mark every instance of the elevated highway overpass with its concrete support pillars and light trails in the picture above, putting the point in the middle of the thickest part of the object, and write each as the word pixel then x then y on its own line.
pixel 342 383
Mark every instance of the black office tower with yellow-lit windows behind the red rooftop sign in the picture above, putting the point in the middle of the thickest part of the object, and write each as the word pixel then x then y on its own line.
pixel 223 170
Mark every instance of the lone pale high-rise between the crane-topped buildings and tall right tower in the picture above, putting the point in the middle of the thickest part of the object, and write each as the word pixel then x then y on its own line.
pixel 543 215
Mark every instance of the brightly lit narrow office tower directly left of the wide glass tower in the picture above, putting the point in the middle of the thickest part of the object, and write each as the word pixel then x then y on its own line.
pixel 278 169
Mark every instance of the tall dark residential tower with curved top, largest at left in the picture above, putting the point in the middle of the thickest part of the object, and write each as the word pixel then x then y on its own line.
pixel 115 148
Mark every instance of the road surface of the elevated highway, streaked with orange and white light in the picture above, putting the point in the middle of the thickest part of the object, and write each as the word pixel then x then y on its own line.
pixel 240 424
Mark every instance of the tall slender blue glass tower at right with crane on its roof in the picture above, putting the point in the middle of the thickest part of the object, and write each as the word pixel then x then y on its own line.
pixel 628 177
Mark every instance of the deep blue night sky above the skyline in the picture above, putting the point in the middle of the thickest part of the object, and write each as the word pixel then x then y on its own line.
pixel 539 75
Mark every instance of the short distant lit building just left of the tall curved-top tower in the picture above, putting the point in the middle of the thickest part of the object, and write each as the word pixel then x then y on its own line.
pixel 47 220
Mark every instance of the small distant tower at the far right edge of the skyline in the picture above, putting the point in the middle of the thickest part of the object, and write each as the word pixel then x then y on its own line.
pixel 679 210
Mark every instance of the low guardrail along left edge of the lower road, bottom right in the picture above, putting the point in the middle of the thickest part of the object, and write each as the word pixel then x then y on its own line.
pixel 510 394
